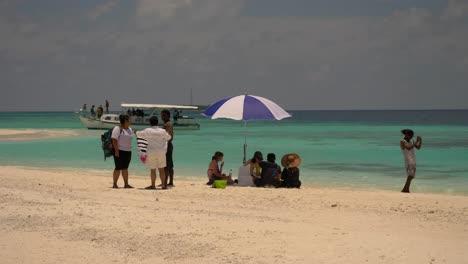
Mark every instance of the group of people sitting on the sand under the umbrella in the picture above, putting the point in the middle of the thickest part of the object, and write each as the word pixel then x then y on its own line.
pixel 264 173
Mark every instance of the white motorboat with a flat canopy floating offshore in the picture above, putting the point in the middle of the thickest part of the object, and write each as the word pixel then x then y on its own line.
pixel 140 115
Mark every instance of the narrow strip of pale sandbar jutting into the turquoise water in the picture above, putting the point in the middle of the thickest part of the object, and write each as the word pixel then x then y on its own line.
pixel 32 134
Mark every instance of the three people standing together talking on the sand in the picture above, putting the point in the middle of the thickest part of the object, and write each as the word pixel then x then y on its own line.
pixel 157 154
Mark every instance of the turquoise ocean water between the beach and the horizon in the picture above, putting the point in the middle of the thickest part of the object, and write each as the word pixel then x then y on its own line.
pixel 355 149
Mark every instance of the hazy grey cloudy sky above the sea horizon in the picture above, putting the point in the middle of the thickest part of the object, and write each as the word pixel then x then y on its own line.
pixel 56 55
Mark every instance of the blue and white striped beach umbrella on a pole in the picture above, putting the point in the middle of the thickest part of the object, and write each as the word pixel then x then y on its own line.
pixel 246 108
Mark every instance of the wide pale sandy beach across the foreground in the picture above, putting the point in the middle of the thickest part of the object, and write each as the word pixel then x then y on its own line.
pixel 69 217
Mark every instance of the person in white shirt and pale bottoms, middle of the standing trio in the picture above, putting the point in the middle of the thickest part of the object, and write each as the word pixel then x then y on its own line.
pixel 157 139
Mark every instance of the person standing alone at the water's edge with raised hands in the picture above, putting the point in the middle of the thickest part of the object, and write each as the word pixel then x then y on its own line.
pixel 407 145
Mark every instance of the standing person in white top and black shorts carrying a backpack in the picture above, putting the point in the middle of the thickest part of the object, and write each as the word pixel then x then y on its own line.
pixel 122 136
